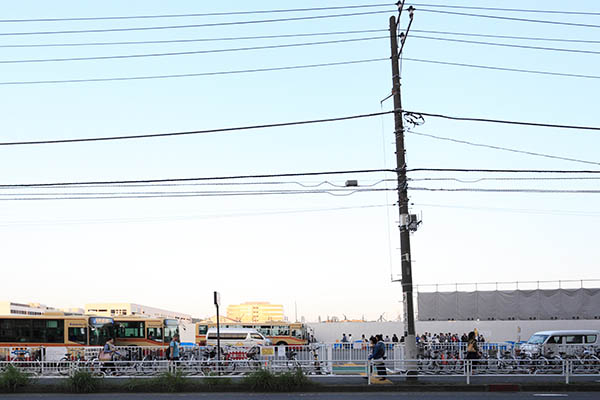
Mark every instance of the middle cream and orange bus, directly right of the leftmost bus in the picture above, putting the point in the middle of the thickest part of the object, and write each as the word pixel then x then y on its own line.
pixel 144 331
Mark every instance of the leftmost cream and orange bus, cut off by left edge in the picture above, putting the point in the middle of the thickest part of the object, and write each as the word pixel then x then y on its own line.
pixel 51 330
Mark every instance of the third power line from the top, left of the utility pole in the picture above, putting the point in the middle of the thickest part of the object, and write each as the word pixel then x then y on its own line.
pixel 217 39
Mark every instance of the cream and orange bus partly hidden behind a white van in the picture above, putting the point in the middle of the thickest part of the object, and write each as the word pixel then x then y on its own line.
pixel 279 332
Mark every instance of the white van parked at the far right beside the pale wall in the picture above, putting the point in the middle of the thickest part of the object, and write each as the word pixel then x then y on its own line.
pixel 557 342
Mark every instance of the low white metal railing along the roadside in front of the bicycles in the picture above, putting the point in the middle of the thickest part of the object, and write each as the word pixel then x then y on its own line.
pixel 372 370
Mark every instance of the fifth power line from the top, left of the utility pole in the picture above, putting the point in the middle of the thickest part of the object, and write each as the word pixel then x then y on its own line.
pixel 216 73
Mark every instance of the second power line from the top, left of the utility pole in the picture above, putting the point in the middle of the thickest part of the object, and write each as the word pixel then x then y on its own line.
pixel 236 23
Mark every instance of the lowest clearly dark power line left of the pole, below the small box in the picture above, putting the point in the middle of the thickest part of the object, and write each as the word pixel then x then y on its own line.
pixel 332 192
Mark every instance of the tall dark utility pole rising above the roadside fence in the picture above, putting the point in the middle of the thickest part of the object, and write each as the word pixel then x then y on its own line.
pixel 407 287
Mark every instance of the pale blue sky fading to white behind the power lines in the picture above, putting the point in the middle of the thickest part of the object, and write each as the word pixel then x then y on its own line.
pixel 318 254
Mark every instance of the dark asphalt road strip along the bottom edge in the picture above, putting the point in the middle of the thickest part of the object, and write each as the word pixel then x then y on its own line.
pixel 310 396
